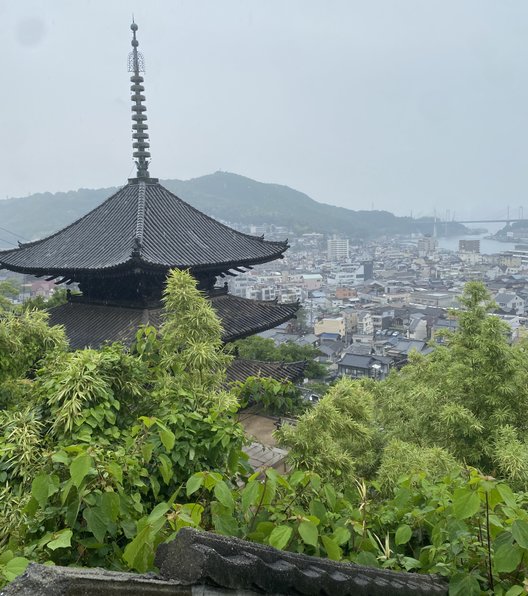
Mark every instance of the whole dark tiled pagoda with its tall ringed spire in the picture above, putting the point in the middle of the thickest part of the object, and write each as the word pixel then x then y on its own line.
pixel 119 255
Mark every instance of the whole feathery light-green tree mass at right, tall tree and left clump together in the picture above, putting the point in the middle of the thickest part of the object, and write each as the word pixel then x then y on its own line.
pixel 463 404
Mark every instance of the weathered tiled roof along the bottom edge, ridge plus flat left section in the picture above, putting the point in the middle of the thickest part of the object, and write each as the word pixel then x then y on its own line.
pixel 215 564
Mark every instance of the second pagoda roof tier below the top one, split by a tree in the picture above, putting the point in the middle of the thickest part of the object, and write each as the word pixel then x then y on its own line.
pixel 92 325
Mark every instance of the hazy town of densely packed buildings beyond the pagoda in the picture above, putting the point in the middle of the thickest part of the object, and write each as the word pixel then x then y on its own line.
pixel 367 305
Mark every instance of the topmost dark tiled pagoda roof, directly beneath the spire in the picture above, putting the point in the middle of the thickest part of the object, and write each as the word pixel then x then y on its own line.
pixel 142 225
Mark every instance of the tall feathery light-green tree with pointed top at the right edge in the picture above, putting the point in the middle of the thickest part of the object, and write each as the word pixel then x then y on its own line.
pixel 468 397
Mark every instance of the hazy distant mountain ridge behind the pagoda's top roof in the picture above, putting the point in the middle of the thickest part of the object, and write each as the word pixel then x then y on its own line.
pixel 222 195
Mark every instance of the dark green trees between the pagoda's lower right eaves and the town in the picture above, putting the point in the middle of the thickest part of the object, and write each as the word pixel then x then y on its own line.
pixel 260 348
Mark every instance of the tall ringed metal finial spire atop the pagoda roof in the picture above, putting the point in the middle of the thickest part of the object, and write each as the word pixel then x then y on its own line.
pixel 136 65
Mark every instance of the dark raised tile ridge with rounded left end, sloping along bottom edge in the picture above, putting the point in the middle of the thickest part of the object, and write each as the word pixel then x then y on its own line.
pixel 201 557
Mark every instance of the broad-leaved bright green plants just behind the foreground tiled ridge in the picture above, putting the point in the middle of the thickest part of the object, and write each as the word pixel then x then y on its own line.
pixel 467 527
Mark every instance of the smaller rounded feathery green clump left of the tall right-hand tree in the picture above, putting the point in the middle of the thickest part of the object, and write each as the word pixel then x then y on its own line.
pixel 338 437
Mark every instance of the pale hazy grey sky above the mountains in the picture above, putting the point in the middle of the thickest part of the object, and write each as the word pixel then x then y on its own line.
pixel 397 104
